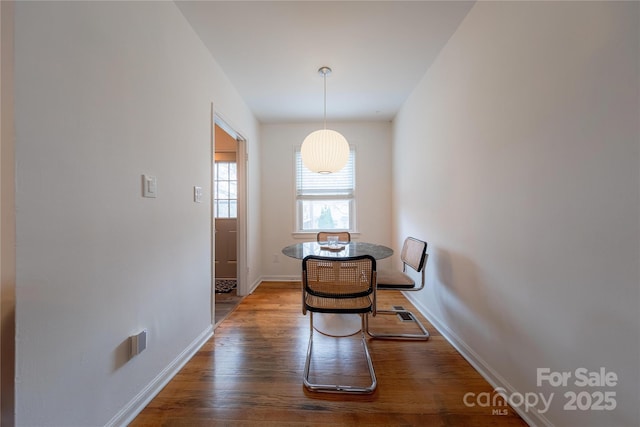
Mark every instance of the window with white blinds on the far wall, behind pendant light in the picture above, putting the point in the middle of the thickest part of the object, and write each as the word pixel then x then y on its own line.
pixel 325 201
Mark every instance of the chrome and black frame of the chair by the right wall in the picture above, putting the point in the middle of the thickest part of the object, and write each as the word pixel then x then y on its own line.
pixel 419 266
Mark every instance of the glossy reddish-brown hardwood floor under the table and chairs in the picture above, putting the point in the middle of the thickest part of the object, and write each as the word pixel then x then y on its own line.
pixel 250 374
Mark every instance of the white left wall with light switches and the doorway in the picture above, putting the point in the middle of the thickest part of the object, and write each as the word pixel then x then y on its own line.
pixel 107 91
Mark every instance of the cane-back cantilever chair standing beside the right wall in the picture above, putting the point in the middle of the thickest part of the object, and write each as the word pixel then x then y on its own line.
pixel 414 255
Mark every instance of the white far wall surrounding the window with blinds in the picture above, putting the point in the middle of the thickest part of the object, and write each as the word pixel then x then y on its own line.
pixel 372 142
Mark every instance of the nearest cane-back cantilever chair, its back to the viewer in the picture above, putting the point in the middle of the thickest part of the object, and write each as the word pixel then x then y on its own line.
pixel 338 285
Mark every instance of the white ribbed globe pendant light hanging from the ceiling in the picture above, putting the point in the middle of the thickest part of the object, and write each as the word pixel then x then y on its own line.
pixel 325 150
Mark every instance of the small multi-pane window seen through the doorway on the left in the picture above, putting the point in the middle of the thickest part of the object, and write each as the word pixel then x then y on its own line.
pixel 225 190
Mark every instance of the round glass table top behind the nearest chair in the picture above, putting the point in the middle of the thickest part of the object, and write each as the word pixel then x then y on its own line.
pixel 301 250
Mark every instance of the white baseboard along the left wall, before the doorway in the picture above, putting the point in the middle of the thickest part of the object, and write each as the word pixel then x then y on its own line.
pixel 142 399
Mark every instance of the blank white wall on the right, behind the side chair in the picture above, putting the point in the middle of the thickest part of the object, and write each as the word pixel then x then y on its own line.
pixel 523 139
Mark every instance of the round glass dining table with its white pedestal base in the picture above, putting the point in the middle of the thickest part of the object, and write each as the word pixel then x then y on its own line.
pixel 335 324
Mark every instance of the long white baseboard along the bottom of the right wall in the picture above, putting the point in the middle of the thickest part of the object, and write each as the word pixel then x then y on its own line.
pixel 488 373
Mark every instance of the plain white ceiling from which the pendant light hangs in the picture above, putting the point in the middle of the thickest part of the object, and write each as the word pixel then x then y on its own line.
pixel 271 52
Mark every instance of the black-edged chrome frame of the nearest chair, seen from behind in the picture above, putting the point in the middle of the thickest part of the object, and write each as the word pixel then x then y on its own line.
pixel 328 301
